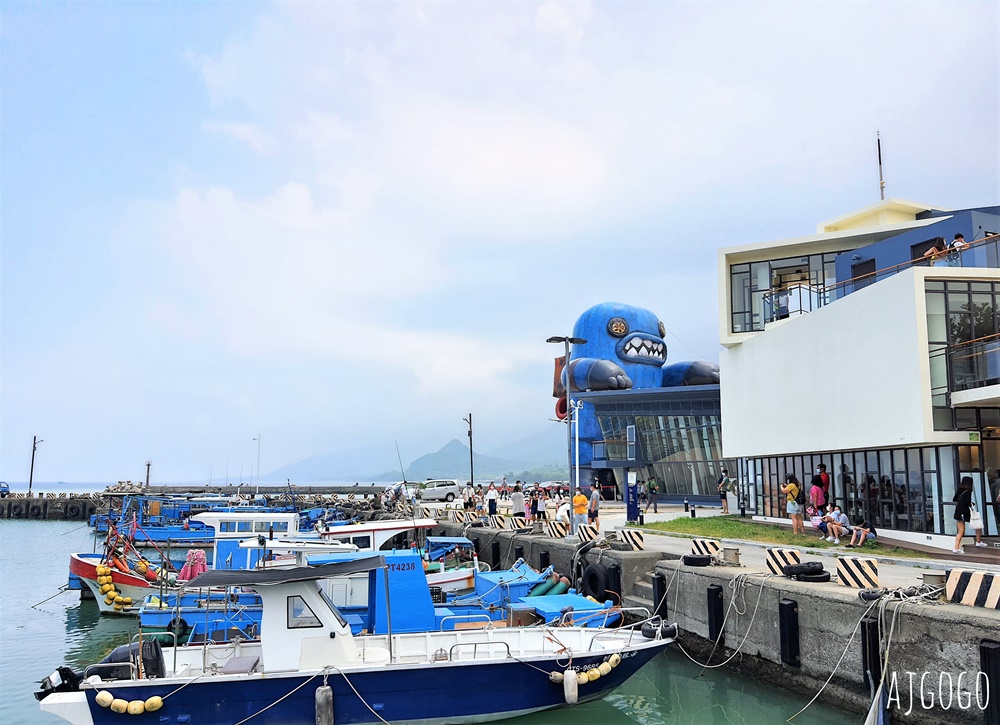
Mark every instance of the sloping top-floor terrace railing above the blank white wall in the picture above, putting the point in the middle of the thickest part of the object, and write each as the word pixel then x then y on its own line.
pixel 800 298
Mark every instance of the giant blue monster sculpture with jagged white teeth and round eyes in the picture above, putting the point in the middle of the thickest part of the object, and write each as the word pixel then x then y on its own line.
pixel 625 350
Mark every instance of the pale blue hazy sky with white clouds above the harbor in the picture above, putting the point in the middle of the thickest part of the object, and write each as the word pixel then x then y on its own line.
pixel 343 227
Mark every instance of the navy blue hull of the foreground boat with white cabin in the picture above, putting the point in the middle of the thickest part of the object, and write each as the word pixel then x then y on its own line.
pixel 443 693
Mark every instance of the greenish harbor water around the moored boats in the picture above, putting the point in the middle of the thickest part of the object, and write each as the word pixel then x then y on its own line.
pixel 34 562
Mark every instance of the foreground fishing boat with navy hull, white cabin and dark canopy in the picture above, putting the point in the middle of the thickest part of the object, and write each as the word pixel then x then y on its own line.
pixel 308 667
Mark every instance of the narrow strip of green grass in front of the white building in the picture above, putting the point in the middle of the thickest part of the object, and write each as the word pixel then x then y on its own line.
pixel 730 527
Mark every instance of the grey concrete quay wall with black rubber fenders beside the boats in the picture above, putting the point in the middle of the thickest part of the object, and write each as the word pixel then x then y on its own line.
pixel 943 659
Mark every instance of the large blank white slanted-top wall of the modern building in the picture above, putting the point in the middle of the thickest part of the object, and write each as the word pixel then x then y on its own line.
pixel 852 375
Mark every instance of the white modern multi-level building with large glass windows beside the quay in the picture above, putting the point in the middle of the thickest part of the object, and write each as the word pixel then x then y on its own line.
pixel 846 347
